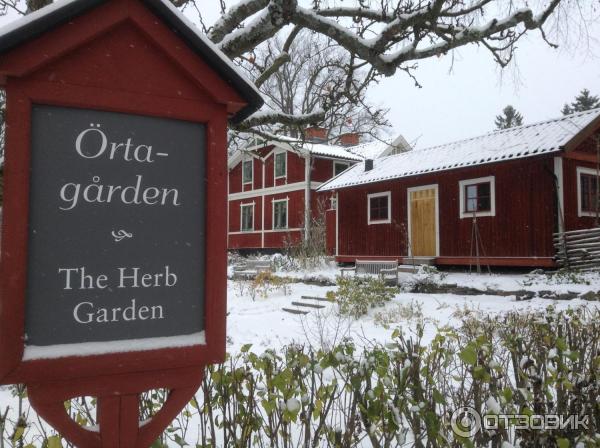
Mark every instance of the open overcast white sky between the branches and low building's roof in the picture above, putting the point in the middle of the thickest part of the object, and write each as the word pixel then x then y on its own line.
pixel 464 91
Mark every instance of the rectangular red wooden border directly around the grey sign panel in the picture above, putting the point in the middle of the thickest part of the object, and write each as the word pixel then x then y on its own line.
pixel 20 96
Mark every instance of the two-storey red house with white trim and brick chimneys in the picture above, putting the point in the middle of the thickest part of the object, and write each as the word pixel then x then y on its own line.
pixel 273 186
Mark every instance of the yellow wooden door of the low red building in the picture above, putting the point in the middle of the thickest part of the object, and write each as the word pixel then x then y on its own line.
pixel 423 232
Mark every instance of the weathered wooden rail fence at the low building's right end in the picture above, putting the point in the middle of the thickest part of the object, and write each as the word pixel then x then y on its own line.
pixel 578 249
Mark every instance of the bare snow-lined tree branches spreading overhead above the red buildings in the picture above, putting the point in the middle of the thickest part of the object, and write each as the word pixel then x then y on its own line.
pixel 356 44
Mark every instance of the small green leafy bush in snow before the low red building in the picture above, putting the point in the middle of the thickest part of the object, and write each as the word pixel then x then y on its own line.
pixel 356 295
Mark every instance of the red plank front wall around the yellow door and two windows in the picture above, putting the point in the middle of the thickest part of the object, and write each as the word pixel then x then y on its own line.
pixel 523 225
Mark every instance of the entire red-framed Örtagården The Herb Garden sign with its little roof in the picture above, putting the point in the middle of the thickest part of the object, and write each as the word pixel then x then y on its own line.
pixel 113 263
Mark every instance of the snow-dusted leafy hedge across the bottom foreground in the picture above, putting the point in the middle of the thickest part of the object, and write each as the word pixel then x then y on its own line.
pixel 403 392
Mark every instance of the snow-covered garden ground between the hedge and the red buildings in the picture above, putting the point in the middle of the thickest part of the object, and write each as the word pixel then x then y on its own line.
pixel 263 323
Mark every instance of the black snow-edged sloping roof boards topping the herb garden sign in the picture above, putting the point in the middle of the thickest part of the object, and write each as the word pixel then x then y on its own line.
pixel 35 24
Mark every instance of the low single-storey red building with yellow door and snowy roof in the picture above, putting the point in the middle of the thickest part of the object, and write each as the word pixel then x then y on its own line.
pixel 500 196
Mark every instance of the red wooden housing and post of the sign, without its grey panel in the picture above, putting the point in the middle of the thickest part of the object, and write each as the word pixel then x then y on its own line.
pixel 206 97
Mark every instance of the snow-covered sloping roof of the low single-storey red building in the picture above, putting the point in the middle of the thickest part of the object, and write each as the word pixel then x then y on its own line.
pixel 515 143
